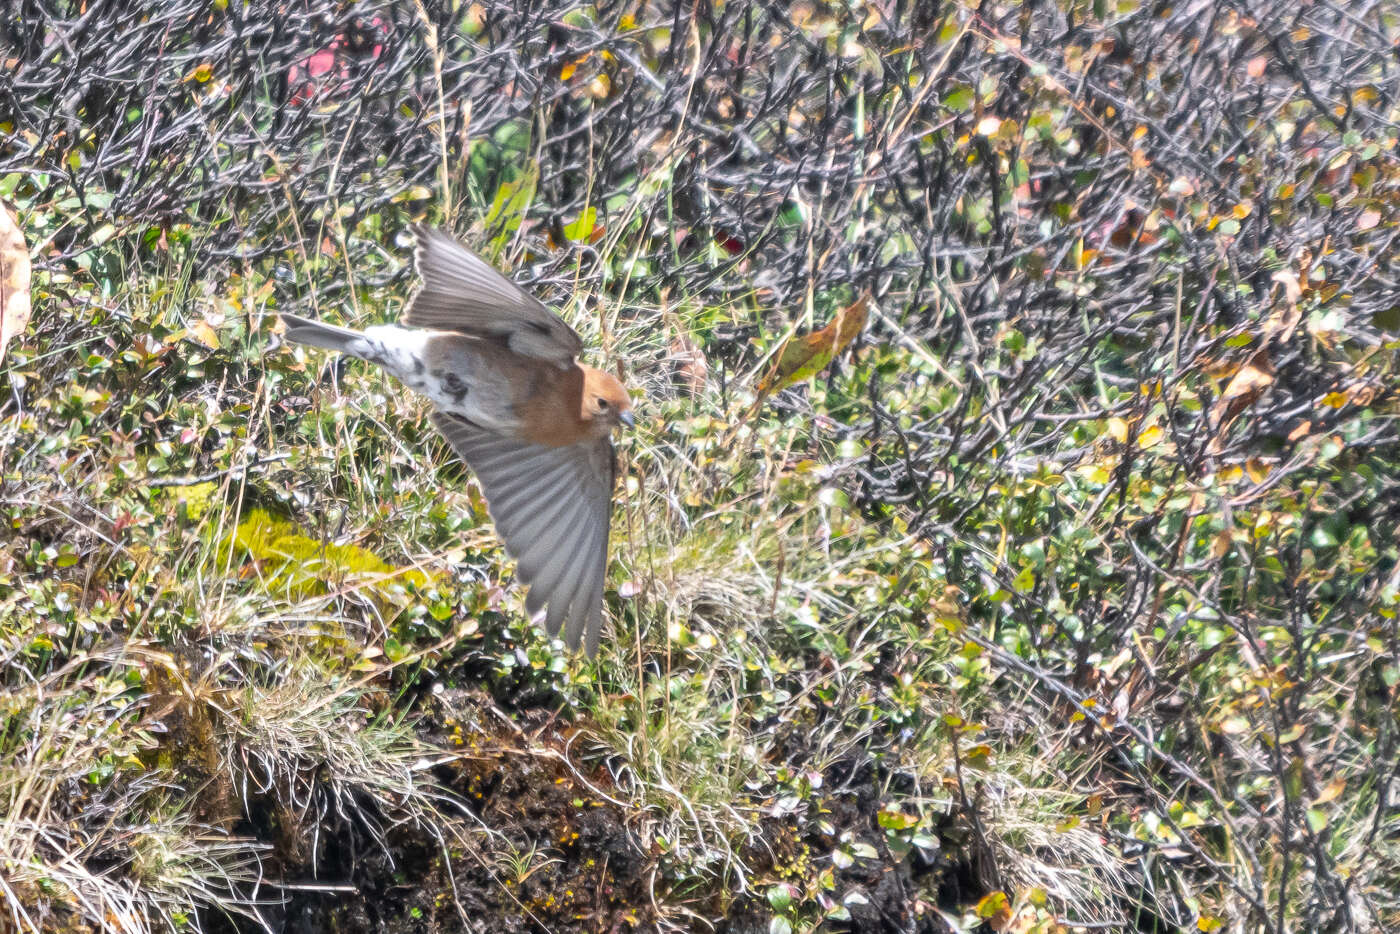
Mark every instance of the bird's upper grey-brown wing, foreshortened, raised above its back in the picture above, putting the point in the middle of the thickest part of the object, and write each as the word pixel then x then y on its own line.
pixel 461 292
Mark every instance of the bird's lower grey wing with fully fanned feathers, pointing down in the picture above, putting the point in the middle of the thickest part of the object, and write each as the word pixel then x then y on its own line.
pixel 552 508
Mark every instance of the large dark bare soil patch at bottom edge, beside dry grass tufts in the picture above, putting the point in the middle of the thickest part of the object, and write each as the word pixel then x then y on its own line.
pixel 530 845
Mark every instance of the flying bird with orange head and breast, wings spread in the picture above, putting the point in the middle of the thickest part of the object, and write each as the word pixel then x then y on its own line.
pixel 517 407
